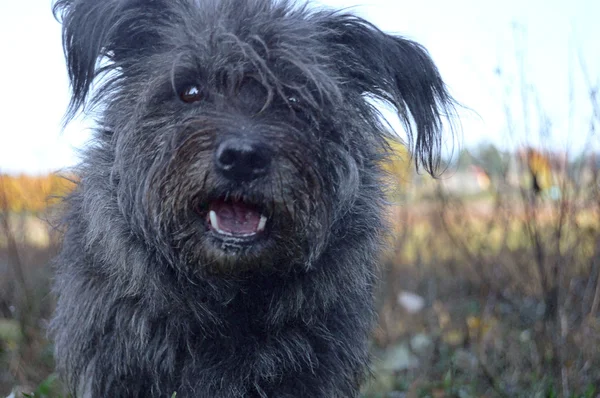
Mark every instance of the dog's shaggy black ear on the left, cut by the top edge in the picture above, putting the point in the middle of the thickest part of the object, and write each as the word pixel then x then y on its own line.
pixel 96 30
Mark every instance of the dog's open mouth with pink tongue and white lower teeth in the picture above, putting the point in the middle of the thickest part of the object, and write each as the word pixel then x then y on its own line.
pixel 235 219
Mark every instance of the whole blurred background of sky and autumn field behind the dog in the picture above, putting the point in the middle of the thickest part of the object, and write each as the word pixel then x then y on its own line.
pixel 491 284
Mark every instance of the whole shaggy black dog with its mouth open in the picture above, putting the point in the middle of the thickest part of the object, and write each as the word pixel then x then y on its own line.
pixel 223 237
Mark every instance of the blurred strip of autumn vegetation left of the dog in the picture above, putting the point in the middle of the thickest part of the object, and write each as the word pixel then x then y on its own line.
pixel 27 243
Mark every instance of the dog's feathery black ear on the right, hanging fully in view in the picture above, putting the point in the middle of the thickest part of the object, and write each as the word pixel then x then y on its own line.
pixel 398 71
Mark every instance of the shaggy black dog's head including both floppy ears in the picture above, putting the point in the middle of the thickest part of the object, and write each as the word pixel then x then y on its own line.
pixel 238 133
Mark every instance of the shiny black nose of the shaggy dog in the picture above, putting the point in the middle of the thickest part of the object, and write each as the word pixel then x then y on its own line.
pixel 242 159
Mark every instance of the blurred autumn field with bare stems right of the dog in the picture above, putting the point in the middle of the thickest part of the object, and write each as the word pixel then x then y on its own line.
pixel 503 259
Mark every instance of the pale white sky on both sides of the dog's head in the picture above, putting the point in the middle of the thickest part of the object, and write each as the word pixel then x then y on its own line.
pixel 468 39
